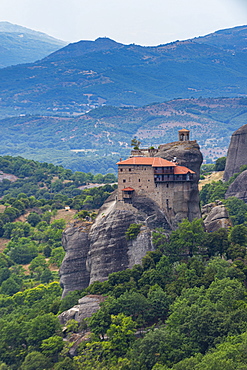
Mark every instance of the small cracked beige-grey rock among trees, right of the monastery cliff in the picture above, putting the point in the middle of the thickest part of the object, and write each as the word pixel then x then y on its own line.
pixel 215 216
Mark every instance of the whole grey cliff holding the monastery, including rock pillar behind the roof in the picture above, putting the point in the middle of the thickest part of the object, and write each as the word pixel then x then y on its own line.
pixel 94 251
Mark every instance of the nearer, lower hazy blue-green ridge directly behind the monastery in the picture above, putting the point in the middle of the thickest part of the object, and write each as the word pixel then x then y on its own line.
pixel 95 141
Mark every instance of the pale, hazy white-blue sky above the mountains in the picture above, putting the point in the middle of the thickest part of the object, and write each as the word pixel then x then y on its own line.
pixel 143 22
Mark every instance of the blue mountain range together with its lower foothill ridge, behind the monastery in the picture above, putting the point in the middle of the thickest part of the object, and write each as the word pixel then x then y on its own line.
pixel 47 107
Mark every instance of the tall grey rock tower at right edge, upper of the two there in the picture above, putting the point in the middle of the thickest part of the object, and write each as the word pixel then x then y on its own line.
pixel 237 153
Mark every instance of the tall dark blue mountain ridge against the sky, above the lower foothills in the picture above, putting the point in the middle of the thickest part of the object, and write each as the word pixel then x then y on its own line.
pixel 87 74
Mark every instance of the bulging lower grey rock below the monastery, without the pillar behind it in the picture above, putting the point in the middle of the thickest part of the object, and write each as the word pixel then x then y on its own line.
pixel 92 253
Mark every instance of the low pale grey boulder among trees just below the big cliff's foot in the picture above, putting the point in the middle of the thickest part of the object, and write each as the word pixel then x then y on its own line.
pixel 86 307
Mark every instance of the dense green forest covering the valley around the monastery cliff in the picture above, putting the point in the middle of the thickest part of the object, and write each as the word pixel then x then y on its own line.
pixel 183 308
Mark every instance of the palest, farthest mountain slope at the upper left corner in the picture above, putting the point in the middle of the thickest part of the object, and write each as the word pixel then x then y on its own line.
pixel 23 45
